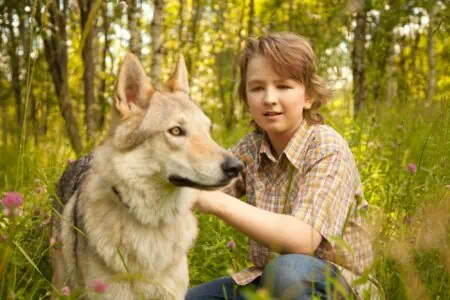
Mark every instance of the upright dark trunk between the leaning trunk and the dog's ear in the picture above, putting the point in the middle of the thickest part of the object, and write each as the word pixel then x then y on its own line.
pixel 88 29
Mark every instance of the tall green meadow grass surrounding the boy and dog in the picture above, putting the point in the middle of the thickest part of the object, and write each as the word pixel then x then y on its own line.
pixel 410 209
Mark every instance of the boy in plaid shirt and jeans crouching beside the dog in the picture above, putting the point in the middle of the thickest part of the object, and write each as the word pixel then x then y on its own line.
pixel 304 192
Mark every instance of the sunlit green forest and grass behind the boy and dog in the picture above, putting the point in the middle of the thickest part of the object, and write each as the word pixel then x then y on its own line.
pixel 387 61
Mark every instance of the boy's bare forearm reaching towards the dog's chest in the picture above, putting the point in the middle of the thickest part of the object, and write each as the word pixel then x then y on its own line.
pixel 277 231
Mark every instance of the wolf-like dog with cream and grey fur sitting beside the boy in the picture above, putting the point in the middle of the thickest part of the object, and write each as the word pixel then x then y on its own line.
pixel 128 220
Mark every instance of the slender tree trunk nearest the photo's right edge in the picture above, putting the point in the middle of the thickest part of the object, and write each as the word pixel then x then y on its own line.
pixel 431 59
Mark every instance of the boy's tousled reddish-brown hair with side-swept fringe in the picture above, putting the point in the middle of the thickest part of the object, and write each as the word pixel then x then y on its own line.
pixel 291 57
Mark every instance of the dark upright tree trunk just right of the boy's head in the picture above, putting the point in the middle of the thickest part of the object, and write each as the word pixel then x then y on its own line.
pixel 358 59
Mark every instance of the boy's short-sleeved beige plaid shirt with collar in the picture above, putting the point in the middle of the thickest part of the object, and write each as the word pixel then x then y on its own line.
pixel 316 181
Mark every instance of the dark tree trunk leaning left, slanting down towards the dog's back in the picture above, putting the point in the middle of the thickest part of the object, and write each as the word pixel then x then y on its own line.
pixel 55 46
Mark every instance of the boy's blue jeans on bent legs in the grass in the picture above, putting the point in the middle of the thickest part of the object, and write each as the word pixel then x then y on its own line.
pixel 290 276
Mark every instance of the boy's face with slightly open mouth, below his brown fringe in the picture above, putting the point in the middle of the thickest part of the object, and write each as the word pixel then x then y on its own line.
pixel 276 103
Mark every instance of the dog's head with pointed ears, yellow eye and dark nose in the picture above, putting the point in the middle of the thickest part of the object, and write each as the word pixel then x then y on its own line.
pixel 163 134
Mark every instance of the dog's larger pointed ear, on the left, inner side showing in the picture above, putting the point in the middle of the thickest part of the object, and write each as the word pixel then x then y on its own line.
pixel 133 88
